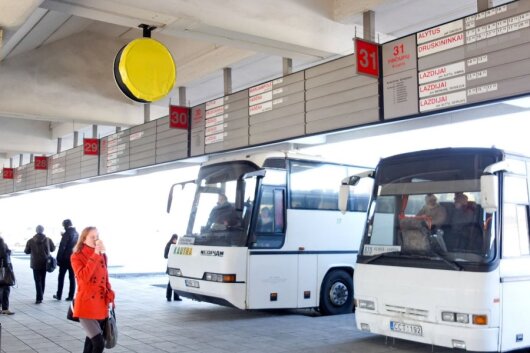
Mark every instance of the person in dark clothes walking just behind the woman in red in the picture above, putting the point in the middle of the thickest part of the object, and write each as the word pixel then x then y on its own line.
pixel 68 241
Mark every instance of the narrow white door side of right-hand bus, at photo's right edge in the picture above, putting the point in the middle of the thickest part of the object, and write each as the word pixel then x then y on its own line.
pixel 515 265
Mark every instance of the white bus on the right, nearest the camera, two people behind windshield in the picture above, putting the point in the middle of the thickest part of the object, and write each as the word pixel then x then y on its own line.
pixel 456 273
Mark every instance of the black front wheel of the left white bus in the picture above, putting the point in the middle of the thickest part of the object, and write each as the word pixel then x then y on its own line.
pixel 336 295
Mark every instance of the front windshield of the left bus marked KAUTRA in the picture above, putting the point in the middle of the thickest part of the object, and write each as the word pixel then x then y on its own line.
pixel 221 211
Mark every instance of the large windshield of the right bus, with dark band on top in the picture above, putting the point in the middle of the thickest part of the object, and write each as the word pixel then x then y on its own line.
pixel 430 210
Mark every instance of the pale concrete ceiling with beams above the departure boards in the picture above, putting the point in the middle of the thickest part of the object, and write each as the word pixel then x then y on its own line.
pixel 56 56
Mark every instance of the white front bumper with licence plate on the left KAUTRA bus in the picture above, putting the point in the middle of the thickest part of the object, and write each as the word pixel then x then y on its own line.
pixel 228 294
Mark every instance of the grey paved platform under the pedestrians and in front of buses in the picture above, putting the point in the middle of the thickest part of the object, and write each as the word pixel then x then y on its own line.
pixel 148 323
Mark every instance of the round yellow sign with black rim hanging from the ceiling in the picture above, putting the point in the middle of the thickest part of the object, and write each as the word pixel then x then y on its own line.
pixel 144 70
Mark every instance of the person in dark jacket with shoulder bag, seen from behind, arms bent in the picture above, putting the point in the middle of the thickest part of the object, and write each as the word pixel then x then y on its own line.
pixel 39 247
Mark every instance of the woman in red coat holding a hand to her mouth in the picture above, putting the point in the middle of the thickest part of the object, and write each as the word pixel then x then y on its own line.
pixel 94 293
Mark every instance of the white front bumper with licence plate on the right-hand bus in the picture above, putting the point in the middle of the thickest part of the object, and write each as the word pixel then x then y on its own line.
pixel 475 338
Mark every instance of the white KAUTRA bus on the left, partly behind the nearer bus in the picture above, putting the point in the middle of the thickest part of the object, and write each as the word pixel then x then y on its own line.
pixel 303 258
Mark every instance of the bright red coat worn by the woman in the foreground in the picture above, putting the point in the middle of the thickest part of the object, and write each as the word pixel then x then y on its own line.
pixel 94 293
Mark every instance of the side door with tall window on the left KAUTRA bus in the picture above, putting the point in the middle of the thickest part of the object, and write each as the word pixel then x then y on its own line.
pixel 272 273
